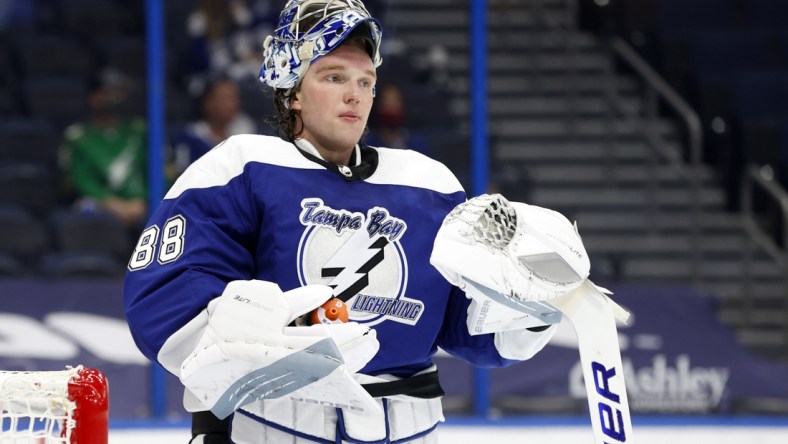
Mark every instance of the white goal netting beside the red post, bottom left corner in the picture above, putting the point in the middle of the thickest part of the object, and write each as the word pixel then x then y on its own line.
pixel 35 407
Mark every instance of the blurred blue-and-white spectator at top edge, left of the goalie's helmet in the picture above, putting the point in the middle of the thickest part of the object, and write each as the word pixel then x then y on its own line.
pixel 224 39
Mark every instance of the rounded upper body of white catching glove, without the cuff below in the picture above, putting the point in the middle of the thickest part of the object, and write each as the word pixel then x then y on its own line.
pixel 524 252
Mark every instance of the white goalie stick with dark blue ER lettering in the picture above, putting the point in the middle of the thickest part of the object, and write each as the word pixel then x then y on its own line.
pixel 593 316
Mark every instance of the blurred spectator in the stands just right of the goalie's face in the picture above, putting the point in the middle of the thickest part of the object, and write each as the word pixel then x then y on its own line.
pixel 388 123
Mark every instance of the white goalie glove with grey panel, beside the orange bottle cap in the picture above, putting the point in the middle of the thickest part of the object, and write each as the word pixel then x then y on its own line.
pixel 247 351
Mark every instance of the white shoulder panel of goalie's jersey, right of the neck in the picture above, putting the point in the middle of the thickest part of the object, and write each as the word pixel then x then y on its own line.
pixel 411 168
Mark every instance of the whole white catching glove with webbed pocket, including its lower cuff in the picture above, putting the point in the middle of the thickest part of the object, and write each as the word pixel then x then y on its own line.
pixel 509 257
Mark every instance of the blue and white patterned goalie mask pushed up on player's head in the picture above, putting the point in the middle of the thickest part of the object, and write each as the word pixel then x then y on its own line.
pixel 309 29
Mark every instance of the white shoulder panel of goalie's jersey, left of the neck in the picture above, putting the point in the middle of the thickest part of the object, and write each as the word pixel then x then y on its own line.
pixel 228 159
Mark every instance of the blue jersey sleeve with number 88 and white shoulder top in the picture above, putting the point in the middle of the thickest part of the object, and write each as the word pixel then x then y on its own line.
pixel 198 239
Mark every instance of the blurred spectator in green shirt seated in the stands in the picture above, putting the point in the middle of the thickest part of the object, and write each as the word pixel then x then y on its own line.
pixel 103 160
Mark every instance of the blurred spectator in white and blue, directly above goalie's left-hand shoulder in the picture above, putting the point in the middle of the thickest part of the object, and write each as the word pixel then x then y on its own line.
pixel 221 117
